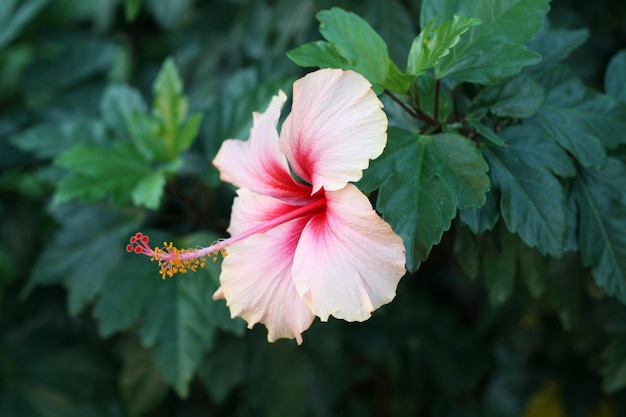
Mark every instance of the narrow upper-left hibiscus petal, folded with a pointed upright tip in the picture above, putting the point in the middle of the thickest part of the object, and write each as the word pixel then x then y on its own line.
pixel 258 163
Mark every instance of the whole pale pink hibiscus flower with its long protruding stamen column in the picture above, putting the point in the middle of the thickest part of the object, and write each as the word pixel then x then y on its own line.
pixel 305 241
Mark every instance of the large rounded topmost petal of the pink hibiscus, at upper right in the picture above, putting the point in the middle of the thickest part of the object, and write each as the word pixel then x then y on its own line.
pixel 335 127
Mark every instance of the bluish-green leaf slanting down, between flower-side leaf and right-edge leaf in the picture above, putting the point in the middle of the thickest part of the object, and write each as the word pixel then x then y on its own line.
pixel 531 202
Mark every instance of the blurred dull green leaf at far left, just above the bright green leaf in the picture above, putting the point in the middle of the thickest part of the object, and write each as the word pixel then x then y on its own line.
pixel 52 139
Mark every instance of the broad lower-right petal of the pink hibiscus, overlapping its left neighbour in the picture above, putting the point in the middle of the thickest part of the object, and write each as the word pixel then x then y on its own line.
pixel 348 261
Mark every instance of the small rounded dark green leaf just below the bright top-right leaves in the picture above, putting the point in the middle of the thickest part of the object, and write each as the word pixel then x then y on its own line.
pixel 517 97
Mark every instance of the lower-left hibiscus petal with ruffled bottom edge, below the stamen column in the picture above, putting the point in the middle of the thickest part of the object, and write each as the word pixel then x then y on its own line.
pixel 256 282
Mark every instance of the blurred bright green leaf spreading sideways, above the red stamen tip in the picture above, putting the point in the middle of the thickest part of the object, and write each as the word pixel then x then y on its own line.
pixel 117 172
